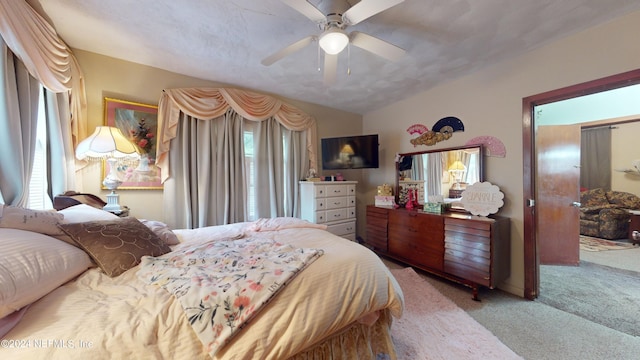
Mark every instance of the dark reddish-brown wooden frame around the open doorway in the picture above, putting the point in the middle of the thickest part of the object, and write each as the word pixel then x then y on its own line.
pixel 531 260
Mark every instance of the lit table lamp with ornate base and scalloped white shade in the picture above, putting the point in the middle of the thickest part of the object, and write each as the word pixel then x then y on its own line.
pixel 108 143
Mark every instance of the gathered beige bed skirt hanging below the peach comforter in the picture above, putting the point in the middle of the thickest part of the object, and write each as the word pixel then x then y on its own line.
pixel 358 341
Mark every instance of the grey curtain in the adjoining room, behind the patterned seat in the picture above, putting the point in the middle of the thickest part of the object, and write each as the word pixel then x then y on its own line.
pixel 595 158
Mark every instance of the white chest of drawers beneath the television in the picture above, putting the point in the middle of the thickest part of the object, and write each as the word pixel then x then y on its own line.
pixel 332 203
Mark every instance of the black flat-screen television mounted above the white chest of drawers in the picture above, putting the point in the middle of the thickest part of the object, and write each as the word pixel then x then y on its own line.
pixel 350 152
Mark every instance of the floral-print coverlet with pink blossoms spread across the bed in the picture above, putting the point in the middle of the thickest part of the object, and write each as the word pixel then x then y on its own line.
pixel 221 285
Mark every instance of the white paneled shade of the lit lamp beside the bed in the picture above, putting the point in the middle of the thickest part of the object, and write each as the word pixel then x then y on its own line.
pixel 106 142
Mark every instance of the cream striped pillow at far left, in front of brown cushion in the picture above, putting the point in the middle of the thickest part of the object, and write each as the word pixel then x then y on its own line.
pixel 34 264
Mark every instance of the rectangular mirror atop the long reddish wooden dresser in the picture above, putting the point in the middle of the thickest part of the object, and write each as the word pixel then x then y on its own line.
pixel 438 175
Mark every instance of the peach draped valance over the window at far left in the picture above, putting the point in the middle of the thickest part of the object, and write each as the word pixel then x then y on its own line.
pixel 46 57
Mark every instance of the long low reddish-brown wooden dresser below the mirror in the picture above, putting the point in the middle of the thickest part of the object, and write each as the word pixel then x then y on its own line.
pixel 471 250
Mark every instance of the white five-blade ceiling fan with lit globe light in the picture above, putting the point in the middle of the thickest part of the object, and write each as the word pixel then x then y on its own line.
pixel 333 17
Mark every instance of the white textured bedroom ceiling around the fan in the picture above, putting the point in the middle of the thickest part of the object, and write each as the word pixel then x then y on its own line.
pixel 225 40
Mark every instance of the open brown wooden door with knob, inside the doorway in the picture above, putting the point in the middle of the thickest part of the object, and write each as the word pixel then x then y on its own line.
pixel 557 193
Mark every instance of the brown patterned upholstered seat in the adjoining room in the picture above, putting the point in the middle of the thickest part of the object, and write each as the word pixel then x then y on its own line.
pixel 605 214
